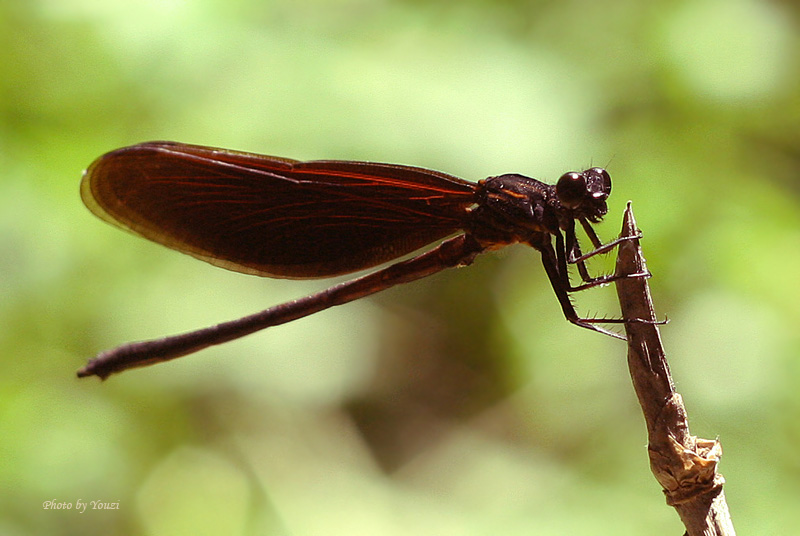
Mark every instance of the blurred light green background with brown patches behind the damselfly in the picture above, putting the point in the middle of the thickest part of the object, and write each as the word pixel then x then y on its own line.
pixel 461 404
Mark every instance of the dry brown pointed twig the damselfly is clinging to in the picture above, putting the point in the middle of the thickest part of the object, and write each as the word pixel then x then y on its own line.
pixel 684 465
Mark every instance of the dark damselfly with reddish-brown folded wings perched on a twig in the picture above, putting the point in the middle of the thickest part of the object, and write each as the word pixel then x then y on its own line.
pixel 277 217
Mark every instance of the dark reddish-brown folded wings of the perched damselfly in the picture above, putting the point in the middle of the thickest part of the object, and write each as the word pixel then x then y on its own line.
pixel 274 216
